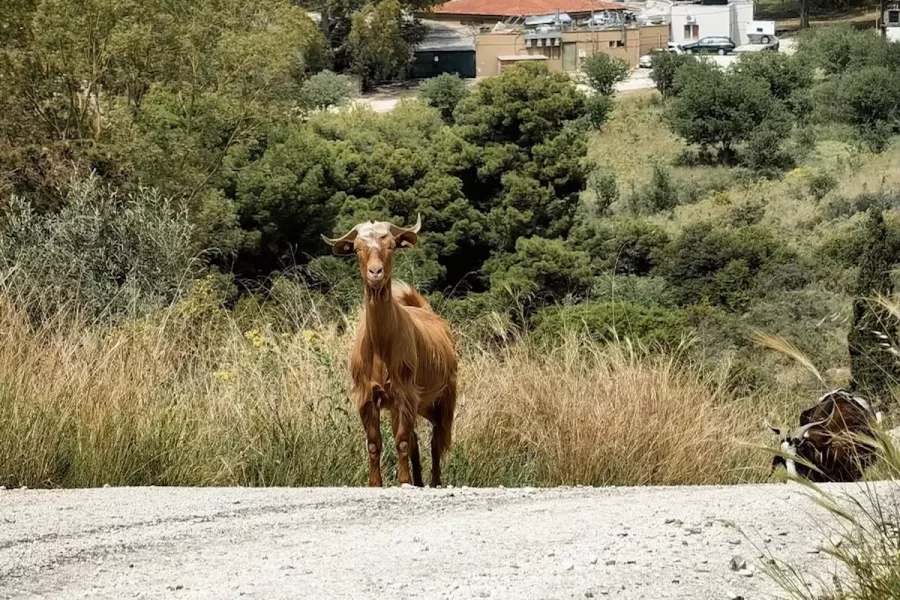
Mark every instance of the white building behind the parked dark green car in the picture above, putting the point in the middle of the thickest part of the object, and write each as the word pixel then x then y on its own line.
pixel 691 22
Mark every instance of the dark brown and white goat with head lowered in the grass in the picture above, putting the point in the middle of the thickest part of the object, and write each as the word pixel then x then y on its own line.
pixel 830 437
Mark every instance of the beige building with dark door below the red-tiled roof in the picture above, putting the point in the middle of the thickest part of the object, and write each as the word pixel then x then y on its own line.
pixel 565 50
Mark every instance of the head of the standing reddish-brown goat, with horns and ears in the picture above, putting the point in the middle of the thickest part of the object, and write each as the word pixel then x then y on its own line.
pixel 374 244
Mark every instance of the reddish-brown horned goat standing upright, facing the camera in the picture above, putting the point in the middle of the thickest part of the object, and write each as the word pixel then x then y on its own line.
pixel 404 359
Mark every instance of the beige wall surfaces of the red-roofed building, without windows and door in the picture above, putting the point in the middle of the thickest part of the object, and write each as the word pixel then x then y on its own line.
pixel 627 44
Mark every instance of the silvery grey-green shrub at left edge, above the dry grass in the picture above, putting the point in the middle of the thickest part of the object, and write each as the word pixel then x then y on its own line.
pixel 104 254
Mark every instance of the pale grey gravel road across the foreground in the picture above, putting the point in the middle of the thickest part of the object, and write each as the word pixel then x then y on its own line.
pixel 393 543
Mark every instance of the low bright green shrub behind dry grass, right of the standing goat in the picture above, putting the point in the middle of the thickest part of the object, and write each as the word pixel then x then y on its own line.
pixel 610 321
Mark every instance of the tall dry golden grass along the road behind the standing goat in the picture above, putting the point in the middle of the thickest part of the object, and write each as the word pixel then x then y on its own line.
pixel 189 397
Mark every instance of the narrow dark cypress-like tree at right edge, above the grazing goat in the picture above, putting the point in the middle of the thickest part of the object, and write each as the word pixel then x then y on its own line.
pixel 872 367
